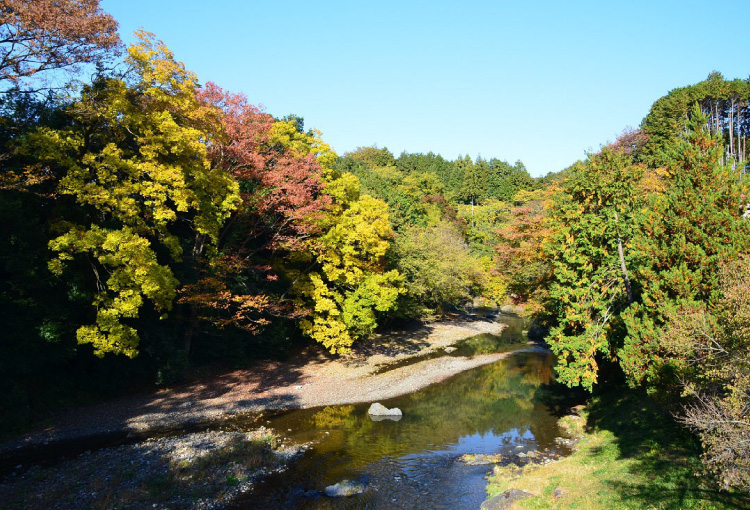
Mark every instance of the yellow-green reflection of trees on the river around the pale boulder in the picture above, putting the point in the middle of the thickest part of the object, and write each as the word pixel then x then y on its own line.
pixel 494 398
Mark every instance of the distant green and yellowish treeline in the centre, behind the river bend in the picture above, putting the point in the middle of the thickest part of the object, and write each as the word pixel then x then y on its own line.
pixel 446 217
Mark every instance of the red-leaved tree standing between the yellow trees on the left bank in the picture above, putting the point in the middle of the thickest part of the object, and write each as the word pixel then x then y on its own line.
pixel 282 202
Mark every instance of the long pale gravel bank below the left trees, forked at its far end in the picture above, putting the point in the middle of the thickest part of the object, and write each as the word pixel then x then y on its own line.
pixel 309 379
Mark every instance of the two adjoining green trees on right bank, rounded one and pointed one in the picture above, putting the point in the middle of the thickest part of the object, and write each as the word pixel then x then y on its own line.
pixel 628 244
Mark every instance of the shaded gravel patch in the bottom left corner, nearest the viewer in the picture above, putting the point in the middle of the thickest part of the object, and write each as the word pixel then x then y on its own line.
pixel 198 471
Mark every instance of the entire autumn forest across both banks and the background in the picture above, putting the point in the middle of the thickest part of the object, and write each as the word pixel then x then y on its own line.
pixel 151 223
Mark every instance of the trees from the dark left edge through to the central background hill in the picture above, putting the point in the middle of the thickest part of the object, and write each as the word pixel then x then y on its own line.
pixel 151 223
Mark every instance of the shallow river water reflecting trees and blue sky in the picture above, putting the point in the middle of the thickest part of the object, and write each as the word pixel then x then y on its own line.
pixel 414 462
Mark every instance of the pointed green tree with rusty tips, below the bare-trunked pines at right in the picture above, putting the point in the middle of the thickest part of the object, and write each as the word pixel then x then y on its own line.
pixel 685 233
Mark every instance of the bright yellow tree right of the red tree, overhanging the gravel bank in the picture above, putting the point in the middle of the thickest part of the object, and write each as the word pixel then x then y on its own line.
pixel 350 285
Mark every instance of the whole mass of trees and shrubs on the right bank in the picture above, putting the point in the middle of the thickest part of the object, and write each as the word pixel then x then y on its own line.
pixel 641 269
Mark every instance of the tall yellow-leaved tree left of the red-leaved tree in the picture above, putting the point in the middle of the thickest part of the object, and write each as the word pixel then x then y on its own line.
pixel 134 161
